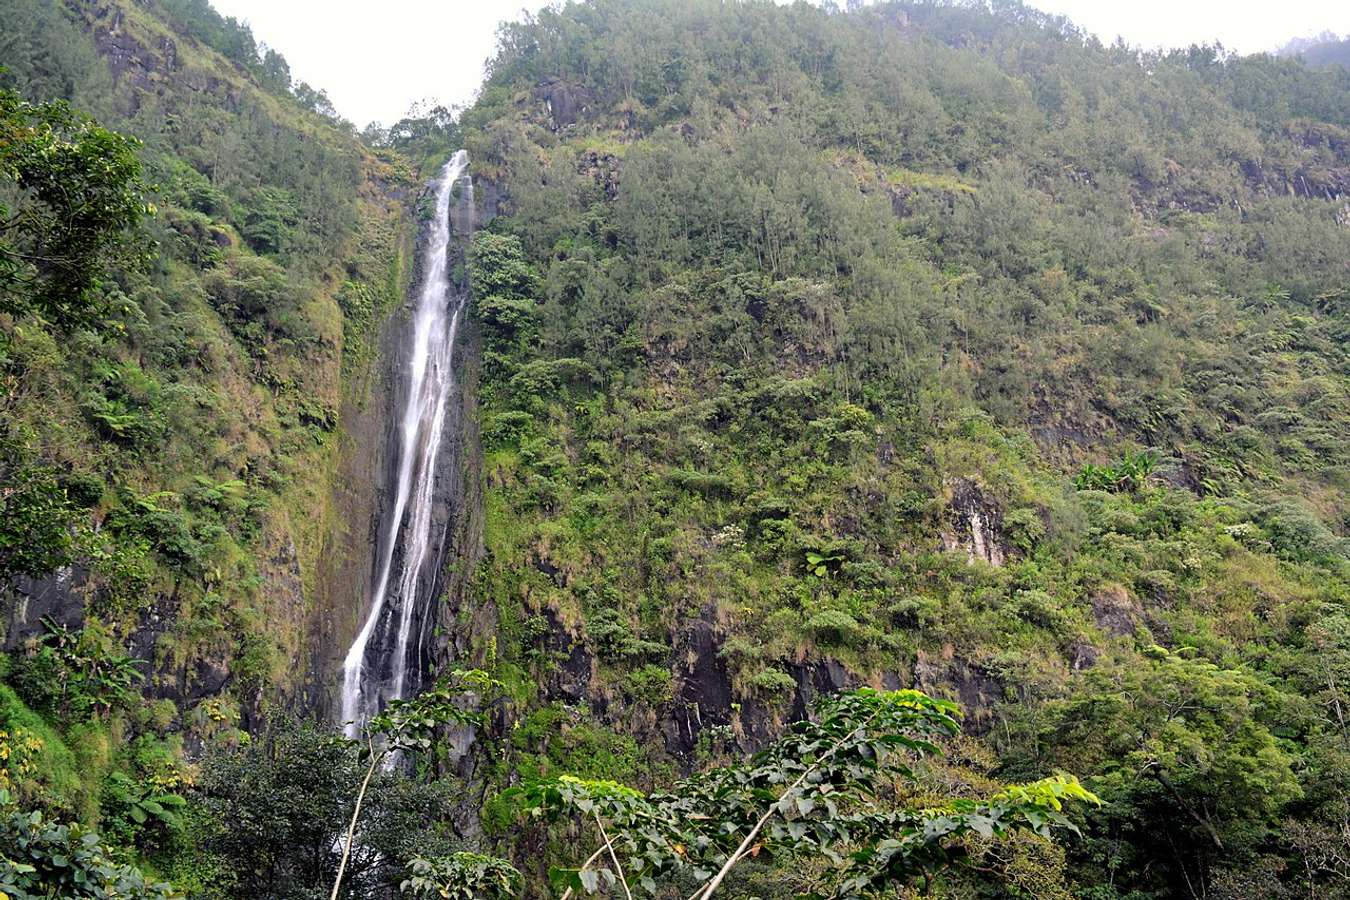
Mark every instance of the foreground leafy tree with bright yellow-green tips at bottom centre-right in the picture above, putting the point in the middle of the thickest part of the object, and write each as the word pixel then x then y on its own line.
pixel 819 793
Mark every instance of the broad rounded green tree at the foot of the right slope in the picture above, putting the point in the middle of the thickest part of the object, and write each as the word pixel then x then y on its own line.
pixel 1183 751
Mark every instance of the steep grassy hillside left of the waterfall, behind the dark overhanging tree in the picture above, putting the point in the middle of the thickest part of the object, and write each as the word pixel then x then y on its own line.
pixel 184 508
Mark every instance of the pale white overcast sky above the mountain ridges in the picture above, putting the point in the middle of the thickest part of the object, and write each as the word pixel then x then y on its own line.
pixel 377 59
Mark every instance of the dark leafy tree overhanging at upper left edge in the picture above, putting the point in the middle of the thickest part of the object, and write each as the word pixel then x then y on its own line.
pixel 80 198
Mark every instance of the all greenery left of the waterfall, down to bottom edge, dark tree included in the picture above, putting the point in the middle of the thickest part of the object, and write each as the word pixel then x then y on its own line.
pixel 182 244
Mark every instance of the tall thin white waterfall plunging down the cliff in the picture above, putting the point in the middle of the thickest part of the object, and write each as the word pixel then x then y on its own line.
pixel 377 666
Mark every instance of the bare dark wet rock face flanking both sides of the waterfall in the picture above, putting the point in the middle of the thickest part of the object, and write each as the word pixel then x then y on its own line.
pixel 367 482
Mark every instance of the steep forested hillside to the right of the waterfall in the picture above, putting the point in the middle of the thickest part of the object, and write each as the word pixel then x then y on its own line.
pixel 939 347
